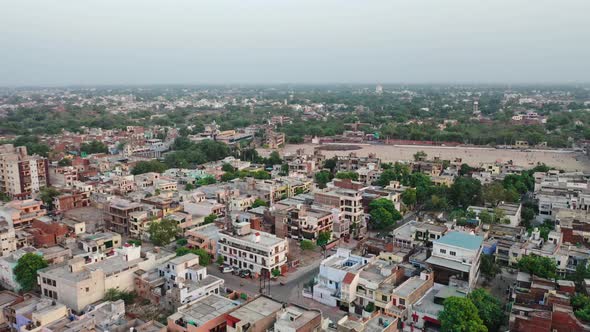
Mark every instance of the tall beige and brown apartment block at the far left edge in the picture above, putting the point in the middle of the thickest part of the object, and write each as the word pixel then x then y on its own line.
pixel 21 175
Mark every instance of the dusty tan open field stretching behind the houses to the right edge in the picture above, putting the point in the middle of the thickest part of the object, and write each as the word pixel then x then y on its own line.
pixel 566 160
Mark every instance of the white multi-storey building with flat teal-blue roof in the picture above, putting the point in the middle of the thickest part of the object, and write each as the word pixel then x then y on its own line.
pixel 456 254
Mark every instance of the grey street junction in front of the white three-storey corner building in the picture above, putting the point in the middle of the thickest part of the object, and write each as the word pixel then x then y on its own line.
pixel 290 292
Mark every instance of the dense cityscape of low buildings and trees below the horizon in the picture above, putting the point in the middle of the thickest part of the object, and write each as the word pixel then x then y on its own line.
pixel 295 208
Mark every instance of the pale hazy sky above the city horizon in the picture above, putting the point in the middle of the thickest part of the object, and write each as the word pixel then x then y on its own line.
pixel 97 42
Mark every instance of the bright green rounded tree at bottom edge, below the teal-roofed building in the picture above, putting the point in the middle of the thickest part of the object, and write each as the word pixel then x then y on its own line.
pixel 460 315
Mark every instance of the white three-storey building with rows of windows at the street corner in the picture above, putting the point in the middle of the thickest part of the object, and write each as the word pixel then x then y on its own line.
pixel 257 251
